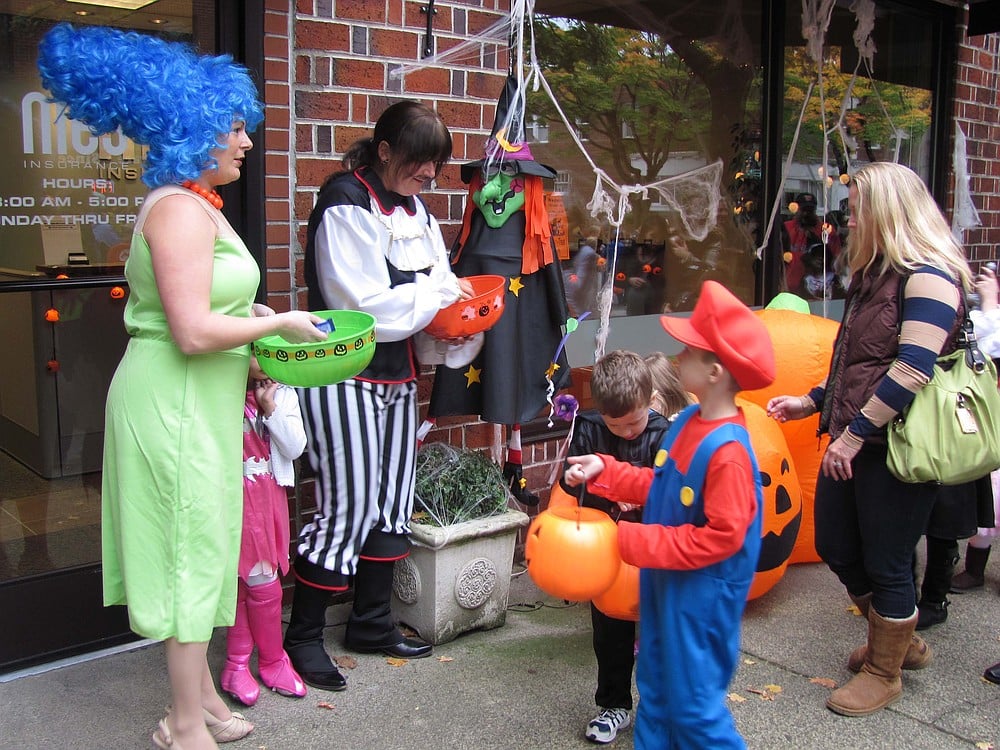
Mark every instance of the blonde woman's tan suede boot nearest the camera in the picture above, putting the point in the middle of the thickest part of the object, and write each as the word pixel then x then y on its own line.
pixel 878 684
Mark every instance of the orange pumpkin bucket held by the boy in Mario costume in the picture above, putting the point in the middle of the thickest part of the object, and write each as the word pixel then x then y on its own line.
pixel 572 552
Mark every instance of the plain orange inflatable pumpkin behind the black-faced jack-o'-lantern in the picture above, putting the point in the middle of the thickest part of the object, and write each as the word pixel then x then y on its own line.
pixel 803 345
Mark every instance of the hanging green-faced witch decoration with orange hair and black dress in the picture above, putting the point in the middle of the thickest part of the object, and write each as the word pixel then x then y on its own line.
pixel 505 231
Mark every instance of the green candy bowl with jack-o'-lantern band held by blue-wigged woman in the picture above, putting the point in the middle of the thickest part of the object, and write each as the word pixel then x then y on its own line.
pixel 348 349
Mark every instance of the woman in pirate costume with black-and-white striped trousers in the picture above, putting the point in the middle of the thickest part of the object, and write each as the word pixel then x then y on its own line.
pixel 372 246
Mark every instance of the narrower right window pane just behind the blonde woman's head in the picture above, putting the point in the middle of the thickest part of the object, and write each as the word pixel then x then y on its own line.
pixel 872 110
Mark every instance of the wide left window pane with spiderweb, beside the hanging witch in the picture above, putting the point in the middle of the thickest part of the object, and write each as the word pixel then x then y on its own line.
pixel 672 105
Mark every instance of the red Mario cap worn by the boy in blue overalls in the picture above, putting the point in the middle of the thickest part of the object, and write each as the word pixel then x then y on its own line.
pixel 723 325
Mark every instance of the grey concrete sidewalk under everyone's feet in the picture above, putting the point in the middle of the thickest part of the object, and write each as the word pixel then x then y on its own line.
pixel 530 684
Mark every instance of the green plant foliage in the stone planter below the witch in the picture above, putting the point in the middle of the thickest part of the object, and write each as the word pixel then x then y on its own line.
pixel 455 485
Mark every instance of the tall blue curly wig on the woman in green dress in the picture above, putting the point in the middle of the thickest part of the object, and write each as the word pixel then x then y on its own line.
pixel 161 94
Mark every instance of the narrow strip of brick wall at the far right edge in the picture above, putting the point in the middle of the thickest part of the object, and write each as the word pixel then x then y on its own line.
pixel 975 109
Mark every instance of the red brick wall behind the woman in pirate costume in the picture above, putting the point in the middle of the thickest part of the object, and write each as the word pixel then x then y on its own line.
pixel 327 79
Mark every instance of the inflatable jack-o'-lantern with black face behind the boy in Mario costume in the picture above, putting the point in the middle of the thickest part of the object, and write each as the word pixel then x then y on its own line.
pixel 782 513
